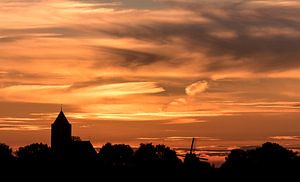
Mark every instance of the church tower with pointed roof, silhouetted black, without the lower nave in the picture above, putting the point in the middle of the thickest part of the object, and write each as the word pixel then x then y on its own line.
pixel 61 135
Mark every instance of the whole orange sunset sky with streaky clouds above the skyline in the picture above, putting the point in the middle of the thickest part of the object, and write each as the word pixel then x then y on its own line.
pixel 135 71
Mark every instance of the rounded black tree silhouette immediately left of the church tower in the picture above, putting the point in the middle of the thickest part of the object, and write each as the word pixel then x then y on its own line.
pixel 35 152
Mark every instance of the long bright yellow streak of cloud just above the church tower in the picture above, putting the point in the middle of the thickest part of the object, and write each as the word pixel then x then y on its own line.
pixel 63 93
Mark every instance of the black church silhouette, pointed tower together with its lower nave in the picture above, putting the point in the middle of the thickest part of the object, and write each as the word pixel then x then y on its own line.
pixel 64 145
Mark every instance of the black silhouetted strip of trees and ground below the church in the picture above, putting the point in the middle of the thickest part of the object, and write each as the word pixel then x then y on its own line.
pixel 148 163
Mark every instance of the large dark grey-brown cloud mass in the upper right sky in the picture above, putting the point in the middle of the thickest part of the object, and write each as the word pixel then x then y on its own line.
pixel 262 30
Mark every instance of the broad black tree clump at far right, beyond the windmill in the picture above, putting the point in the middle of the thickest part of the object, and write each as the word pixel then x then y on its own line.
pixel 269 160
